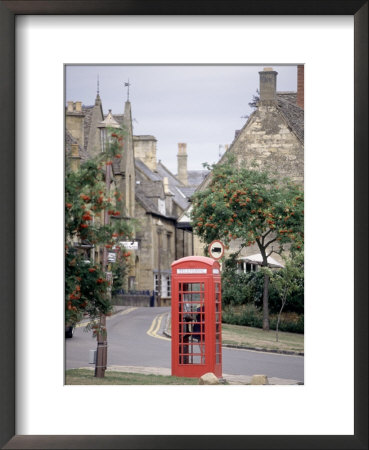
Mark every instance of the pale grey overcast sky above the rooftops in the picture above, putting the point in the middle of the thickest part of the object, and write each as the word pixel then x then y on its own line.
pixel 199 105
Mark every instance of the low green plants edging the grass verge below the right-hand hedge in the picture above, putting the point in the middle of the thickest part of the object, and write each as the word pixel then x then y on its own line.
pixel 249 315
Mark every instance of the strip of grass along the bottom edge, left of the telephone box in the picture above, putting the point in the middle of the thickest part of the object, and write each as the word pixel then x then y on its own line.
pixel 86 376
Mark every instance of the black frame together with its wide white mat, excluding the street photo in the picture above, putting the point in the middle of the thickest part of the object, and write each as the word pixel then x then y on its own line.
pixel 38 410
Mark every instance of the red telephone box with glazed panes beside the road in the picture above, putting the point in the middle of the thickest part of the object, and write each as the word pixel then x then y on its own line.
pixel 196 317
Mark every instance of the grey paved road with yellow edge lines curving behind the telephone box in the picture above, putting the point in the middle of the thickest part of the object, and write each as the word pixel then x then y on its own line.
pixel 131 345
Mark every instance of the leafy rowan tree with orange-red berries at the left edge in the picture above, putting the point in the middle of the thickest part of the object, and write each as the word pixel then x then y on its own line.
pixel 86 200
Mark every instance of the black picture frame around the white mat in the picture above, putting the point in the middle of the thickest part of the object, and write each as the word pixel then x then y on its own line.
pixel 8 11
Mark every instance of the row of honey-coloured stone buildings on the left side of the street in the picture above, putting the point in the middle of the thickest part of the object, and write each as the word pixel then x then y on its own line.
pixel 152 195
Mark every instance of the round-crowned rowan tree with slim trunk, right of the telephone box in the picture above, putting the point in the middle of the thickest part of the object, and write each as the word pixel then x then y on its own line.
pixel 250 206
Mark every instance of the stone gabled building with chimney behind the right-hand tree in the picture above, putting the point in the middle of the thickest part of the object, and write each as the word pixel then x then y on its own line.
pixel 272 137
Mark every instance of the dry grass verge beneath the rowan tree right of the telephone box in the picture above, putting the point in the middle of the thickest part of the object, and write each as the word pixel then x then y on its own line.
pixel 260 339
